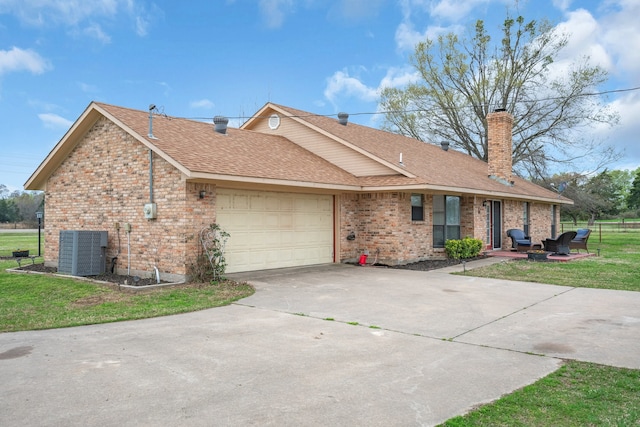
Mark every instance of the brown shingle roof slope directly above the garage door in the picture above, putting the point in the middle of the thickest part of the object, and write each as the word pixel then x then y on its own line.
pixel 242 153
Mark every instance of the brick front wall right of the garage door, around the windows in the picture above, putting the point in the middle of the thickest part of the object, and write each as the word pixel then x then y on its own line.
pixel 382 221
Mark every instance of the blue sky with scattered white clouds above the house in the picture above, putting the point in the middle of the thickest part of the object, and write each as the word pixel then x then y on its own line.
pixel 198 59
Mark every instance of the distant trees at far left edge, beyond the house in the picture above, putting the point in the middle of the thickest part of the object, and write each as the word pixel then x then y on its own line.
pixel 20 206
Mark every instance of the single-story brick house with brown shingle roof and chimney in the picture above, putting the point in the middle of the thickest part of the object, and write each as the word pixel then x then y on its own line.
pixel 291 188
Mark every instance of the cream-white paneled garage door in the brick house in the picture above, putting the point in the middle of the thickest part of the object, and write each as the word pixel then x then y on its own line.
pixel 275 230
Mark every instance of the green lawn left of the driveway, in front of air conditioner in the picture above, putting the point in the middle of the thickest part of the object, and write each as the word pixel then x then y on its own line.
pixel 34 301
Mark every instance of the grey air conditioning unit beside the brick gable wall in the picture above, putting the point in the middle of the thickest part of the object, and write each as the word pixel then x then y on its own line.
pixel 82 252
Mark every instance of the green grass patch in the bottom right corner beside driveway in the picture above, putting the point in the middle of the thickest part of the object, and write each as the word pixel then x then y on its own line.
pixel 576 395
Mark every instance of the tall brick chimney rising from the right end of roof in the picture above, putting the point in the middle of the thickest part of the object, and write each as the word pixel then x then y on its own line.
pixel 499 155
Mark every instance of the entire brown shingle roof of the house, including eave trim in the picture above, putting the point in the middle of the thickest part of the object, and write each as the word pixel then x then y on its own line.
pixel 247 155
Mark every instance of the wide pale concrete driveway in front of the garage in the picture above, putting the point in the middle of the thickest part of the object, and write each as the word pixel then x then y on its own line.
pixel 328 345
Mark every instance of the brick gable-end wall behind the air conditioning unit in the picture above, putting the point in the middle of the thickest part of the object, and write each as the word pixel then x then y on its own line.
pixel 104 181
